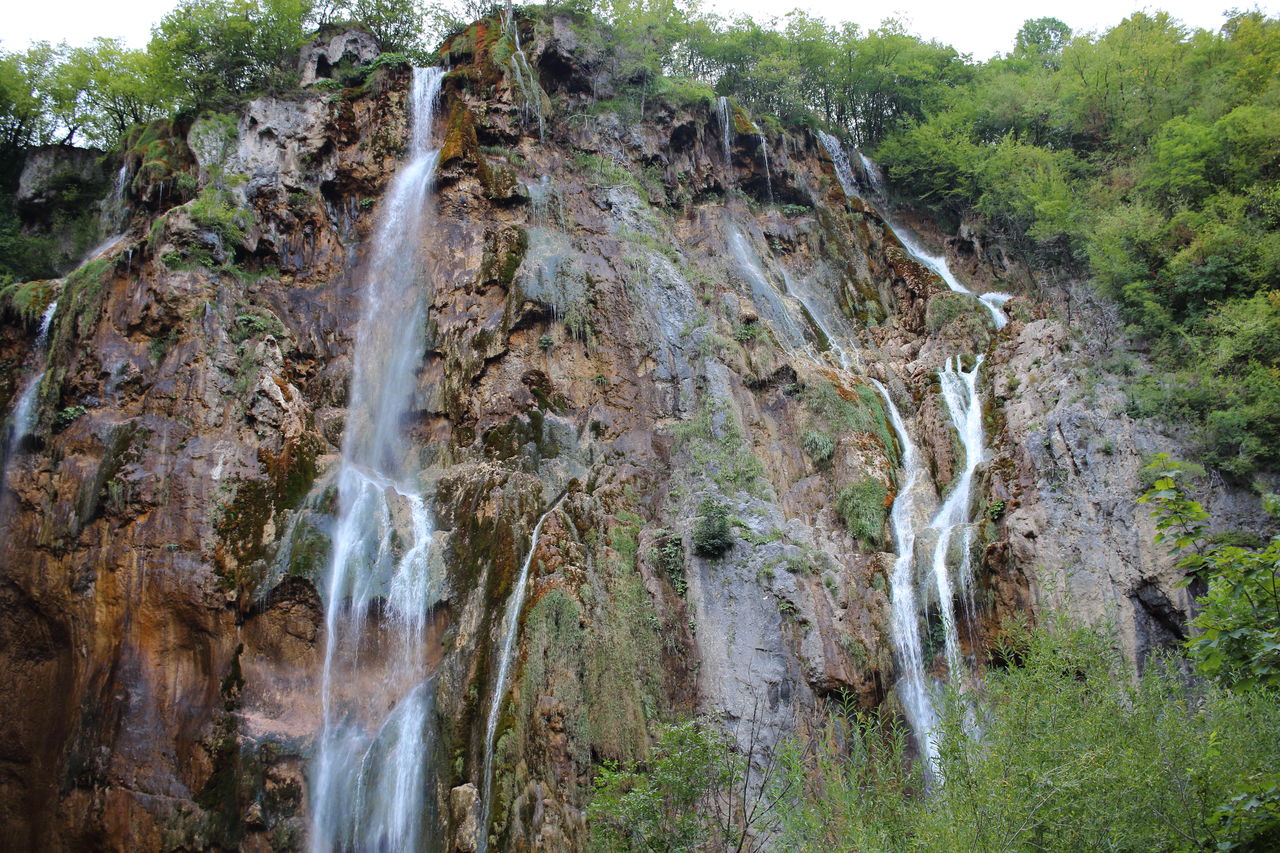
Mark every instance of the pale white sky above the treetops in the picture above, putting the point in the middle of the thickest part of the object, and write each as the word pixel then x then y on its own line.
pixel 979 29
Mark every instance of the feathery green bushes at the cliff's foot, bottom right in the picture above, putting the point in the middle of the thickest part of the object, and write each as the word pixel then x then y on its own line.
pixel 1073 752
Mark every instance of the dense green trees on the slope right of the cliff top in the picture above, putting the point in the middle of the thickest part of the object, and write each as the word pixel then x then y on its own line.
pixel 1148 156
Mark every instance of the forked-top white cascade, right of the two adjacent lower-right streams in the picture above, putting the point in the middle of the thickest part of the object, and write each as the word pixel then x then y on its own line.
pixel 961 394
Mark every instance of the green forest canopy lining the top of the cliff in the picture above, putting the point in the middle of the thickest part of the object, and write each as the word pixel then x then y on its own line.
pixel 1145 157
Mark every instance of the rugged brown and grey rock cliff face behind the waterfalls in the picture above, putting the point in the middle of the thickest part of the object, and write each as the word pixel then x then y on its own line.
pixel 625 309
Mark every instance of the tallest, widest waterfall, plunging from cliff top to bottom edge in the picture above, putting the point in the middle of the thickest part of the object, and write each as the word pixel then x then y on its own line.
pixel 371 773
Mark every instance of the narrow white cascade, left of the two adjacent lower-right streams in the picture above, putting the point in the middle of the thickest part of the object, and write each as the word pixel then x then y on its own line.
pixel 912 686
